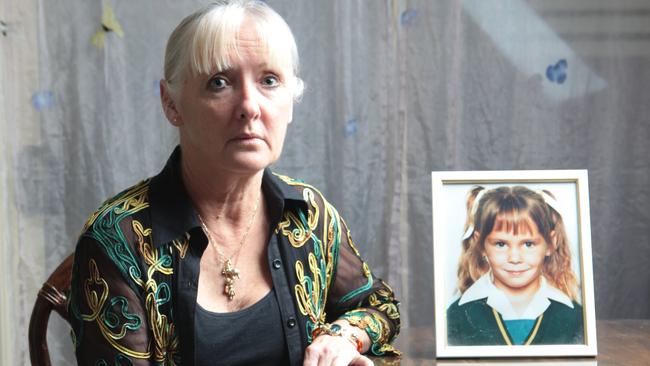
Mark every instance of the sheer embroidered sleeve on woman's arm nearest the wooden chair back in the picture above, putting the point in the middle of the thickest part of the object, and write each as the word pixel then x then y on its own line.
pixel 109 325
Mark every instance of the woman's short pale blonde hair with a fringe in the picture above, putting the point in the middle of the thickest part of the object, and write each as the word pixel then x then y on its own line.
pixel 205 41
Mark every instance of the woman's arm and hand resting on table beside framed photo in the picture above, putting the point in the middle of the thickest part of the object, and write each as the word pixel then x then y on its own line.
pixel 362 309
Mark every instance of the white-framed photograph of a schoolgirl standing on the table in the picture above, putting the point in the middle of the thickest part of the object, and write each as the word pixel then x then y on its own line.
pixel 512 264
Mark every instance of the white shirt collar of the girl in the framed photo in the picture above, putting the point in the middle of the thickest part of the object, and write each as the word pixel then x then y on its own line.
pixel 484 288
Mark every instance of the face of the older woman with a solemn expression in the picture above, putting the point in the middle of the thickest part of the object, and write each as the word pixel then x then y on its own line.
pixel 236 119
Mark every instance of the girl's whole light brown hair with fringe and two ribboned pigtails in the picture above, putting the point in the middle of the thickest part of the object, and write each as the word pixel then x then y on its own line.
pixel 514 209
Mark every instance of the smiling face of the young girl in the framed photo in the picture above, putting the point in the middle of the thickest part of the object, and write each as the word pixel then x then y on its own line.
pixel 517 259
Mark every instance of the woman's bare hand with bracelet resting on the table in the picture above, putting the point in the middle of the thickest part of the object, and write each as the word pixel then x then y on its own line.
pixel 330 350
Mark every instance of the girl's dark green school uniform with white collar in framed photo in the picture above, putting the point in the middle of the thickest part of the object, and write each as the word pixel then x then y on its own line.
pixel 483 315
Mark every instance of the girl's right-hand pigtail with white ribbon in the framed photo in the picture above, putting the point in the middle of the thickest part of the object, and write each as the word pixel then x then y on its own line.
pixel 557 268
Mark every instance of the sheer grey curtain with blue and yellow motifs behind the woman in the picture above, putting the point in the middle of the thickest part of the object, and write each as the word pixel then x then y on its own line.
pixel 395 89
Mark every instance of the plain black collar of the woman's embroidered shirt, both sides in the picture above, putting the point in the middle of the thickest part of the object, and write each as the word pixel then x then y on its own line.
pixel 172 211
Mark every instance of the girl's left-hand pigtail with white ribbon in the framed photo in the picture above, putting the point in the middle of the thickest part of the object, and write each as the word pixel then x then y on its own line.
pixel 471 266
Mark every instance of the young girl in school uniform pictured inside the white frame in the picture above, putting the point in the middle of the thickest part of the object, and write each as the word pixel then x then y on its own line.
pixel 516 285
